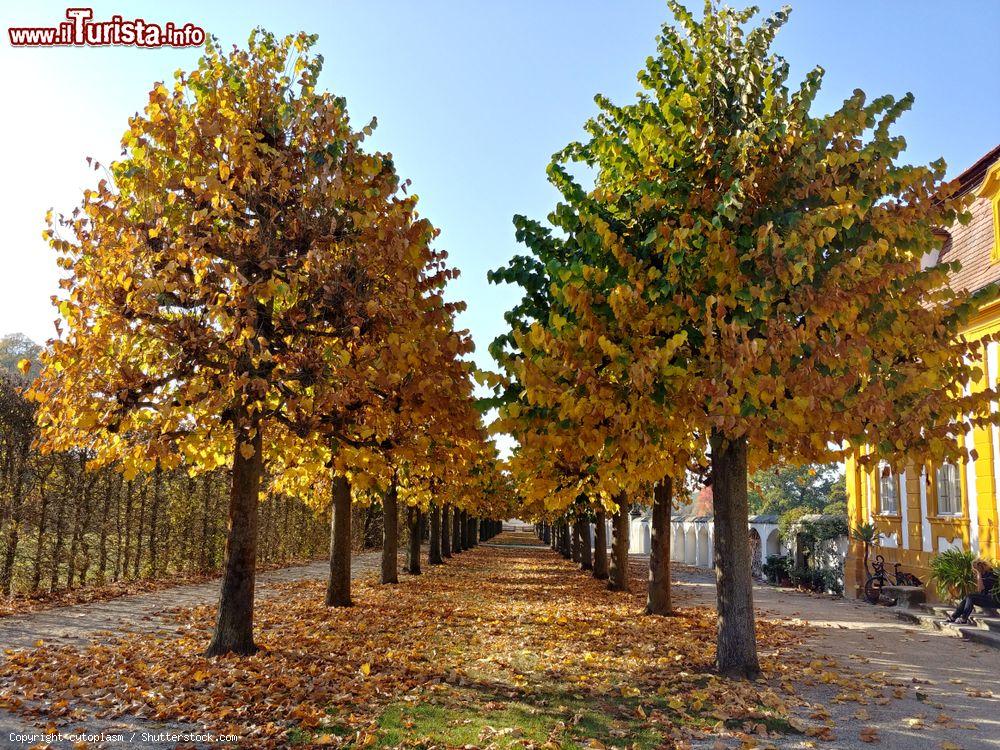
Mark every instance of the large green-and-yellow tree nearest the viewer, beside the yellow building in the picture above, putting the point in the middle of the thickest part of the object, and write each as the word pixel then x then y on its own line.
pixel 784 249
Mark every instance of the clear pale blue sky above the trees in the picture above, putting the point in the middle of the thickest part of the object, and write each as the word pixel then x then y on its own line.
pixel 472 98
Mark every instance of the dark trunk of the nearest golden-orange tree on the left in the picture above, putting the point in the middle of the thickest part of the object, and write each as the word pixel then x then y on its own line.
pixel 234 625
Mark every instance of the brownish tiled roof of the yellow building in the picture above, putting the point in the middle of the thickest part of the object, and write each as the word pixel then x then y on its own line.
pixel 971 244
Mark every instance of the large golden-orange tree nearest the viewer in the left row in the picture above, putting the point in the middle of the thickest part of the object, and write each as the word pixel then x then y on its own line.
pixel 218 276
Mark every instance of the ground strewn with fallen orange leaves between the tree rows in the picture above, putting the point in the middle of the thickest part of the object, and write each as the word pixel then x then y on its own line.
pixel 503 647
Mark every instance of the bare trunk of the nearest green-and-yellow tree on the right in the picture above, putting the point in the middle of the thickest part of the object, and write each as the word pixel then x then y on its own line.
pixel 736 648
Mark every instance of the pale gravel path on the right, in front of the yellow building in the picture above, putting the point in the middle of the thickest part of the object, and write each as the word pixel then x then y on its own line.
pixel 950 687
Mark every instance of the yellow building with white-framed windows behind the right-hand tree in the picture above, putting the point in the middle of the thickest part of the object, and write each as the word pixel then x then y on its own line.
pixel 928 509
